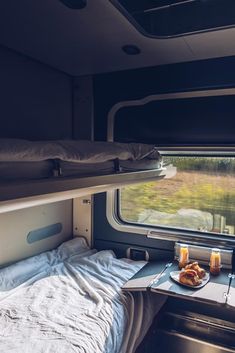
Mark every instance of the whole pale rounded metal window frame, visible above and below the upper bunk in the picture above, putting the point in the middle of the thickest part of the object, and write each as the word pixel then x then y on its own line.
pixel 153 232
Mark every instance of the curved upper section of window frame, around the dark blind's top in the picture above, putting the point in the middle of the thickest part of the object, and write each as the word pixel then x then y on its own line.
pixel 159 97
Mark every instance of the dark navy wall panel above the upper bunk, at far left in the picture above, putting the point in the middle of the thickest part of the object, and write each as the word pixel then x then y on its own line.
pixel 36 101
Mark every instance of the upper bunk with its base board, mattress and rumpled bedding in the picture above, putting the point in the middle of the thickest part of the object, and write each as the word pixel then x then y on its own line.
pixel 38 172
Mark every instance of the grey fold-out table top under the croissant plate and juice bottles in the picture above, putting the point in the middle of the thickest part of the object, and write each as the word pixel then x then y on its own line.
pixel 219 290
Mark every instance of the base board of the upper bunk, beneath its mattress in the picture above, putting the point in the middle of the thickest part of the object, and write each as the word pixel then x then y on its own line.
pixel 22 194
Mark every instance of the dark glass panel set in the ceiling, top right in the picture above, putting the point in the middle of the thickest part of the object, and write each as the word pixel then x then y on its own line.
pixel 167 18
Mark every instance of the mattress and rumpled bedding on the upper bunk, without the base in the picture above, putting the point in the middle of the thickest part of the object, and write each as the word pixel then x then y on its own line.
pixel 21 159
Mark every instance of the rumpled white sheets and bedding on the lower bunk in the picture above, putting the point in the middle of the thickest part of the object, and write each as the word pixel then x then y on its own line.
pixel 69 300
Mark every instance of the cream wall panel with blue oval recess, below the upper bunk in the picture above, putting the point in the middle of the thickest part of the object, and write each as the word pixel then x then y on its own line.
pixel 16 226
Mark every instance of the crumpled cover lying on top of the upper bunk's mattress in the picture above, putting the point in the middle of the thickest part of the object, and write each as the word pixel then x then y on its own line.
pixel 14 150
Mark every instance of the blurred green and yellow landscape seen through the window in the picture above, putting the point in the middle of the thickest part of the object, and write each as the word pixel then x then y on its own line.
pixel 200 197
